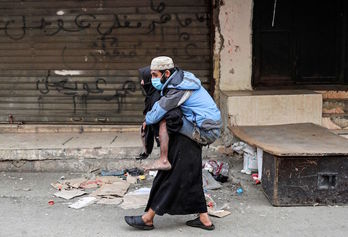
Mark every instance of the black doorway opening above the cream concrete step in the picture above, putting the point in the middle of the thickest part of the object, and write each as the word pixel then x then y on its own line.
pixel 300 44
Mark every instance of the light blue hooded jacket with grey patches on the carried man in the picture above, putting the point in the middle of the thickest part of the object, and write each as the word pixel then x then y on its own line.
pixel 185 90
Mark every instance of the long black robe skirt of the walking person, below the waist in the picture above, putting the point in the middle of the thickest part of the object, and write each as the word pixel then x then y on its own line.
pixel 179 191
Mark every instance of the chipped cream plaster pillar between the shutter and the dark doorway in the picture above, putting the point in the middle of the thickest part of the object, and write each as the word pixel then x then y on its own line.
pixel 233 44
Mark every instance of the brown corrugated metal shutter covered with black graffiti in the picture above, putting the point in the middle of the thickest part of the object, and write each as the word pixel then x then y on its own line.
pixel 76 61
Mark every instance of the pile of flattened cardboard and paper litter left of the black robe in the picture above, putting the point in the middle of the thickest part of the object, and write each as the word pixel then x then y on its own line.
pixel 110 189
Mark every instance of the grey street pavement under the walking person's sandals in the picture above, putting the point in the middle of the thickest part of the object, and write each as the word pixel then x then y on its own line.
pixel 25 212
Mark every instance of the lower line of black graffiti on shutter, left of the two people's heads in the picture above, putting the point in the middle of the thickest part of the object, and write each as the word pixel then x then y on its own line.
pixel 83 91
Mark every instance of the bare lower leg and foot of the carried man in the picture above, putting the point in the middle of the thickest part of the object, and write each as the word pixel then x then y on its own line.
pixel 162 163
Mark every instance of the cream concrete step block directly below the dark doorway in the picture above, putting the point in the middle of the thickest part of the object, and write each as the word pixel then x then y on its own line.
pixel 272 107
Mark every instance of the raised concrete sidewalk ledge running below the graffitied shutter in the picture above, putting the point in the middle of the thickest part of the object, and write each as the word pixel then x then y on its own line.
pixel 72 151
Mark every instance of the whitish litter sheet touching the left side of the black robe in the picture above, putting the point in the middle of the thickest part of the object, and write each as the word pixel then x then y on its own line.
pixel 136 199
